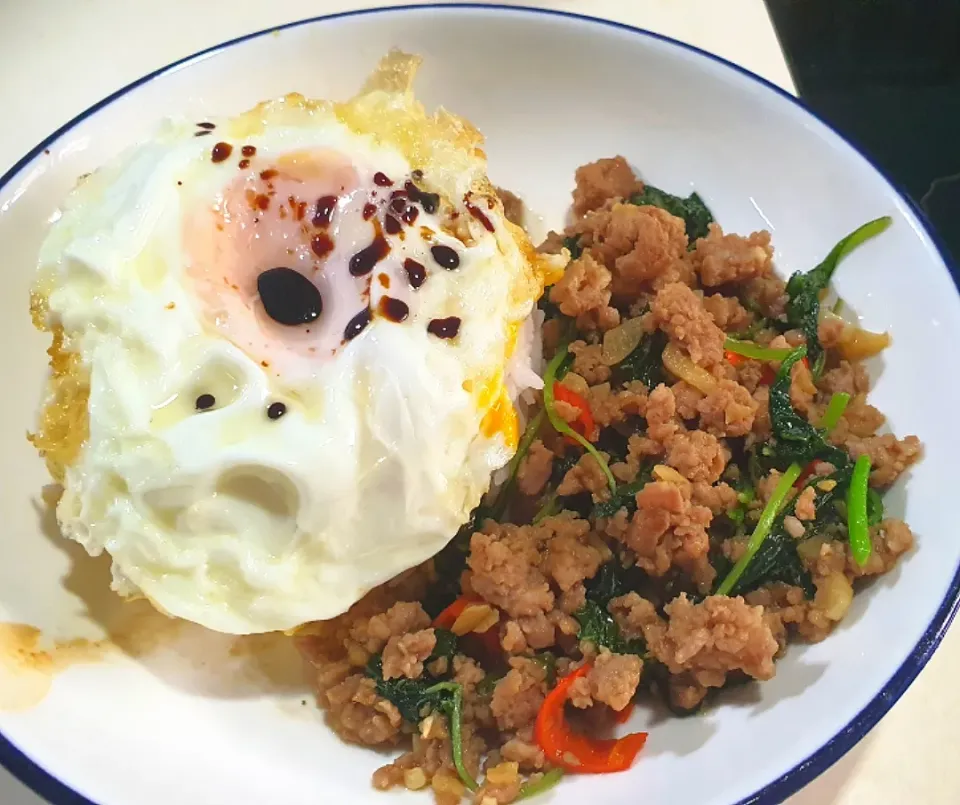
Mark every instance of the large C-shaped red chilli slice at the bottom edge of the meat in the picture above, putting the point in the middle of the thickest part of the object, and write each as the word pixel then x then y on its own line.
pixel 574 751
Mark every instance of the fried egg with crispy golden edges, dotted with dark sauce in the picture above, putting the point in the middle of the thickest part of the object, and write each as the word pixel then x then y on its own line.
pixel 286 351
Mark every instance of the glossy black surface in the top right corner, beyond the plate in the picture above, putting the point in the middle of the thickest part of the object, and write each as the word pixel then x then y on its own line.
pixel 886 74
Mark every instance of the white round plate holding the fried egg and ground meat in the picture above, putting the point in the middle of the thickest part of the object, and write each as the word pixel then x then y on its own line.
pixel 200 718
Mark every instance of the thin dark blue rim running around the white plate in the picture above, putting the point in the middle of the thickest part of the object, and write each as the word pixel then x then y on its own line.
pixel 54 791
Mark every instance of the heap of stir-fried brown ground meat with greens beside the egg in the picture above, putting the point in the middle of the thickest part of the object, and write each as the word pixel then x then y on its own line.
pixel 620 586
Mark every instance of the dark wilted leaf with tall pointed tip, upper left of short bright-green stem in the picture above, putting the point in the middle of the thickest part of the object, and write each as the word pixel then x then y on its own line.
pixel 796 440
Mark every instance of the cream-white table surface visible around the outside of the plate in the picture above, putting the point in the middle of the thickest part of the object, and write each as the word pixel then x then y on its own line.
pixel 57 57
